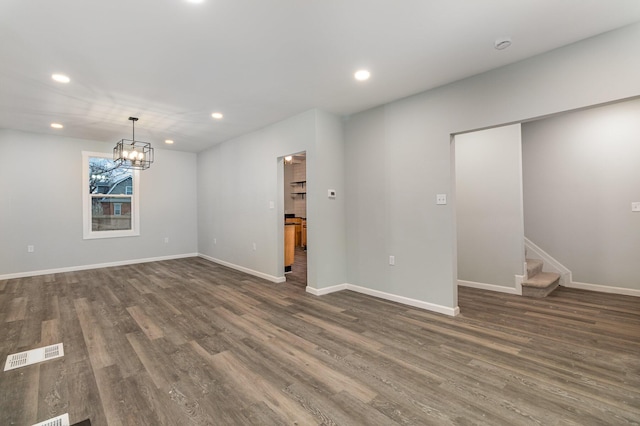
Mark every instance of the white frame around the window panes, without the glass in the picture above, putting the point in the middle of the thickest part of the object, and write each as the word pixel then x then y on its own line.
pixel 88 233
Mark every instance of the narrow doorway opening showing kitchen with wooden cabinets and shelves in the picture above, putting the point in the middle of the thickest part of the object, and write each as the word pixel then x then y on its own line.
pixel 295 218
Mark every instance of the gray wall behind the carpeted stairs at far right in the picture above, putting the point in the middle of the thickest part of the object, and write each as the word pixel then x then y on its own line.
pixel 581 173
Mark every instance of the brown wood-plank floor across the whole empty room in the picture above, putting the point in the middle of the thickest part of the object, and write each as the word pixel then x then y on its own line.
pixel 189 342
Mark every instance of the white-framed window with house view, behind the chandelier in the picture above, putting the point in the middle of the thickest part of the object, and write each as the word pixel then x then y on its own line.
pixel 110 198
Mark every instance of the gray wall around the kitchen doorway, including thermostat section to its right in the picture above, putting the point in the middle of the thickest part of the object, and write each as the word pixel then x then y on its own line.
pixel 238 178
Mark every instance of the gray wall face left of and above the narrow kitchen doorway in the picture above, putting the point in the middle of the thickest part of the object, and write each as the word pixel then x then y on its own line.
pixel 237 180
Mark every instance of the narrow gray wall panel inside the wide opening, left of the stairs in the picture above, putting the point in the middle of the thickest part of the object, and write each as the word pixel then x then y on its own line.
pixel 488 167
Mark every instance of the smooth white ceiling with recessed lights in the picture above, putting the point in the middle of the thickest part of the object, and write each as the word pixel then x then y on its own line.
pixel 172 63
